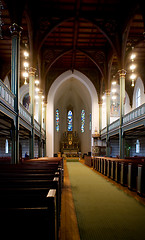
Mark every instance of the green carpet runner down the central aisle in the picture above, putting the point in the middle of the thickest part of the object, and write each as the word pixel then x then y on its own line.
pixel 103 211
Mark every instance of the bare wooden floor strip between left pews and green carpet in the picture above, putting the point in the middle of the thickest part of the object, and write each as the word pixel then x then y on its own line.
pixel 69 227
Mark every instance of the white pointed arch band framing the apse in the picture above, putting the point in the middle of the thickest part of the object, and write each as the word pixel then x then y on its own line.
pixel 50 105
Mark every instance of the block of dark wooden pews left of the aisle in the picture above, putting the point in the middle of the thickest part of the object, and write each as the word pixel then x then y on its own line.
pixel 27 195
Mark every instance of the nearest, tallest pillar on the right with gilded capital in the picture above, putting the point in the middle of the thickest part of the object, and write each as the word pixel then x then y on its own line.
pixel 122 74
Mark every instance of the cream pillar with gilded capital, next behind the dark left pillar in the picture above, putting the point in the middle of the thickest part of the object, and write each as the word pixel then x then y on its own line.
pixel 32 108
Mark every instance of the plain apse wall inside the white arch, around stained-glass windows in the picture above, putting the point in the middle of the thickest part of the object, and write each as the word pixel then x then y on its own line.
pixel 72 93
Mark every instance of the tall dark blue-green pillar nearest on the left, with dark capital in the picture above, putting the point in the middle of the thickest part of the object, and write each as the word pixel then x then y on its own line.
pixel 15 80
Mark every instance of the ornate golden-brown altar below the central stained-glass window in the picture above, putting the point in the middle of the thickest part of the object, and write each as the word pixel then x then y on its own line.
pixel 70 145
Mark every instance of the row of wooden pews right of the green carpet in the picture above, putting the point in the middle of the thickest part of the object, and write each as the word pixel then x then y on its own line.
pixel 127 172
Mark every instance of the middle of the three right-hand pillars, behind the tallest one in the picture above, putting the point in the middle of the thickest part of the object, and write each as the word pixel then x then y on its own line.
pixel 107 122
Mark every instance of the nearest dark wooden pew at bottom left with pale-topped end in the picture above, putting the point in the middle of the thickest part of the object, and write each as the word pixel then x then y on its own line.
pixel 32 219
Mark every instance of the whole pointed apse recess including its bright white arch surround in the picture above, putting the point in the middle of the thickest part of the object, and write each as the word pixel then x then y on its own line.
pixel 76 90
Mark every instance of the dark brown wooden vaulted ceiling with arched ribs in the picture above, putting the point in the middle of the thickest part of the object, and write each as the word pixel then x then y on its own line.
pixel 92 36
